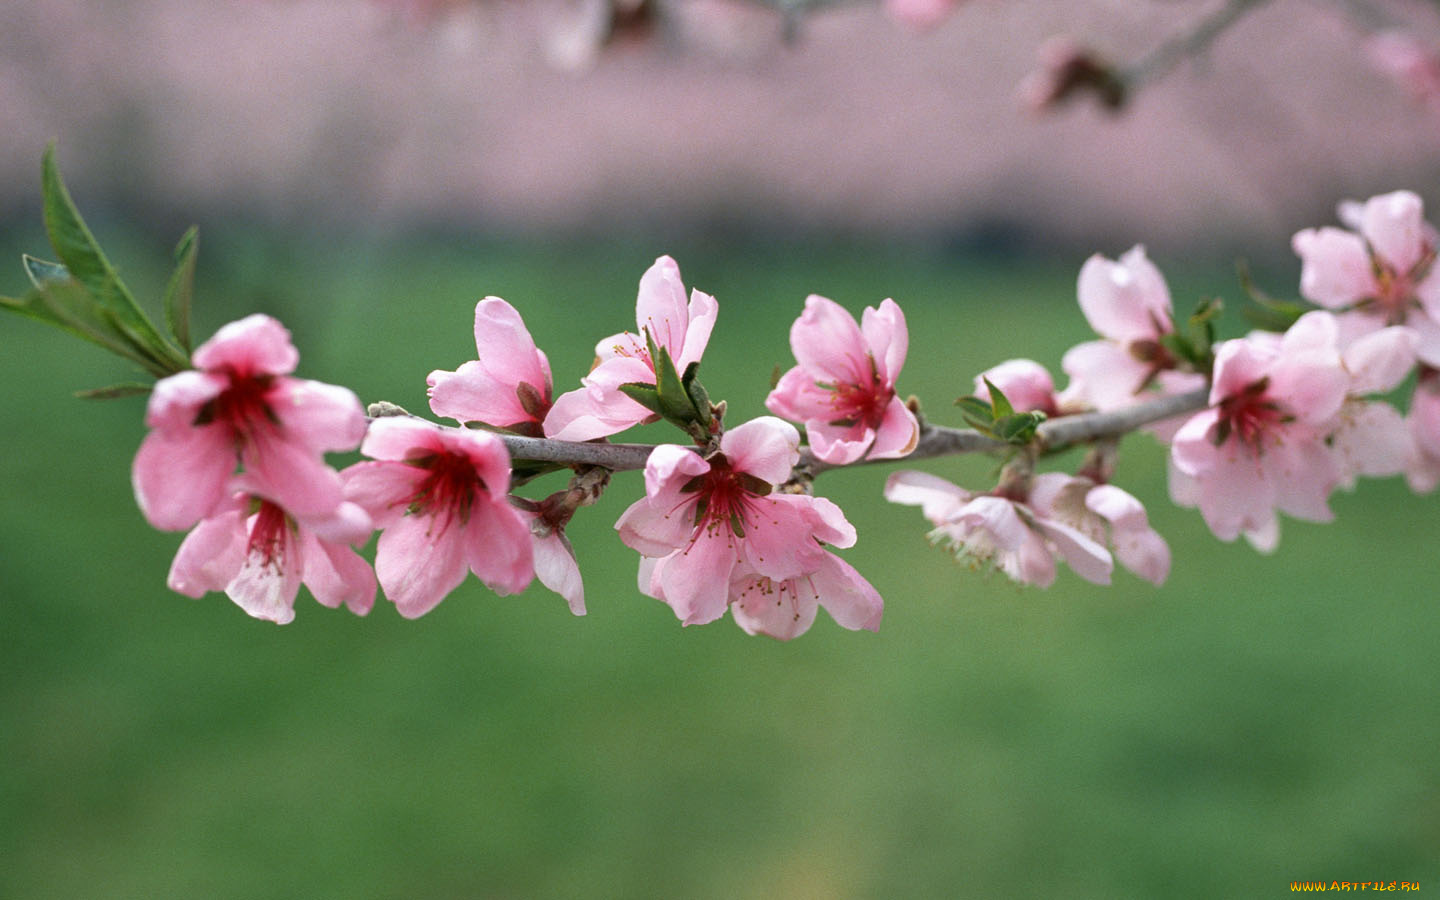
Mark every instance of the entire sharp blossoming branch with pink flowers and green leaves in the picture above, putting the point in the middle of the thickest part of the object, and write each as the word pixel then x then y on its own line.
pixel 1272 423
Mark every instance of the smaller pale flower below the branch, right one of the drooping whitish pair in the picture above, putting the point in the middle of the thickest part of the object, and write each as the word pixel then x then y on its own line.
pixel 1108 516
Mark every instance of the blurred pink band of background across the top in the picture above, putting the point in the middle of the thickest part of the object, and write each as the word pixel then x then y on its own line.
pixel 493 114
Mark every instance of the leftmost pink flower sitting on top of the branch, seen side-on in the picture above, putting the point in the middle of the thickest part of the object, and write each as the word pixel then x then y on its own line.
pixel 508 387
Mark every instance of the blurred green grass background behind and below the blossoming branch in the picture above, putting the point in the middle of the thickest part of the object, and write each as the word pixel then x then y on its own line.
pixel 1255 722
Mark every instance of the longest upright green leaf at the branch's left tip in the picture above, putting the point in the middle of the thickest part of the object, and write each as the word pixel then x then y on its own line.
pixel 81 256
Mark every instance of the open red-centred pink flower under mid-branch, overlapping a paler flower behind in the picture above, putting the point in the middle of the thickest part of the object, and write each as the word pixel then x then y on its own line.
pixel 708 521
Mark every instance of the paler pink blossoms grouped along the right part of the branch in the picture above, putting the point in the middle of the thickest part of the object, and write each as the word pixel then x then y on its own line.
pixel 1288 417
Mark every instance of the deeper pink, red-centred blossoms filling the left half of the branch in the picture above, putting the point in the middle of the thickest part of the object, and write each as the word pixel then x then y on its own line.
pixel 237 453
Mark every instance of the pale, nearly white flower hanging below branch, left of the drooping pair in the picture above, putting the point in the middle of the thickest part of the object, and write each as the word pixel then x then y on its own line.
pixel 1013 536
